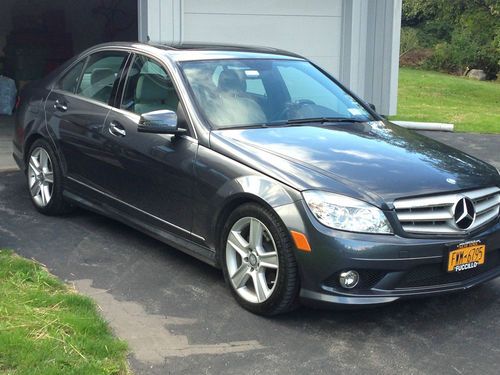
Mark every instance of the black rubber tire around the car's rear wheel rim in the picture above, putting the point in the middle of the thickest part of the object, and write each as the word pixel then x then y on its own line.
pixel 57 204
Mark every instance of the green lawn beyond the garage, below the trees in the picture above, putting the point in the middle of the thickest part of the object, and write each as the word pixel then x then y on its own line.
pixel 472 106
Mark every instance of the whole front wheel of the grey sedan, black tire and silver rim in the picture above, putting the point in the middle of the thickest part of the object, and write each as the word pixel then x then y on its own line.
pixel 258 261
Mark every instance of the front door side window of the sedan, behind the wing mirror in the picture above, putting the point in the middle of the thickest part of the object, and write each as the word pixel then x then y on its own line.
pixel 148 88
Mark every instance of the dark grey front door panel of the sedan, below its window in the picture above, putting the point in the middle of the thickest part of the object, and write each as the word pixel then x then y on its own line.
pixel 151 172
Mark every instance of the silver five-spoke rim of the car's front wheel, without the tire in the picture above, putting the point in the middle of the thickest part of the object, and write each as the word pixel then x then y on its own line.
pixel 252 260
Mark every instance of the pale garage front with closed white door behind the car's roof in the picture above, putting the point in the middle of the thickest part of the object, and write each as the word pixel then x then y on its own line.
pixel 355 40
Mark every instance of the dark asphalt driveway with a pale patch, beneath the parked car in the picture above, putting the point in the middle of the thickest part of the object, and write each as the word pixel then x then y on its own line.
pixel 179 317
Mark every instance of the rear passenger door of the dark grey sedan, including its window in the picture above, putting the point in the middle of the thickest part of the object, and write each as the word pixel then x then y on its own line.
pixel 76 110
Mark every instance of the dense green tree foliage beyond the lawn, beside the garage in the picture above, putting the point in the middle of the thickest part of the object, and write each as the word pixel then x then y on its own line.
pixel 464 34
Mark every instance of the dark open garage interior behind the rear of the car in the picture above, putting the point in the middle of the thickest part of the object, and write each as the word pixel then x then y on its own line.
pixel 36 36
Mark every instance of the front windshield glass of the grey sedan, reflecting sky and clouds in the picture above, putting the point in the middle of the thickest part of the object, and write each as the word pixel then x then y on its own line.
pixel 253 92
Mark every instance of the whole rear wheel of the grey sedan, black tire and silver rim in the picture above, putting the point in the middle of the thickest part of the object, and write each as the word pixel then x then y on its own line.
pixel 44 179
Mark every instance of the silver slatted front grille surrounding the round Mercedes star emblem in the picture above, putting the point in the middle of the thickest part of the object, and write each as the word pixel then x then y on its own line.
pixel 435 214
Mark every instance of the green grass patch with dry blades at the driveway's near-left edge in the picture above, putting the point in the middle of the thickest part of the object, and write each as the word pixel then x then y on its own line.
pixel 46 328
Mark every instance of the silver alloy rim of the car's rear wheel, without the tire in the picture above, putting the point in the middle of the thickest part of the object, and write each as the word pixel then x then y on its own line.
pixel 40 177
